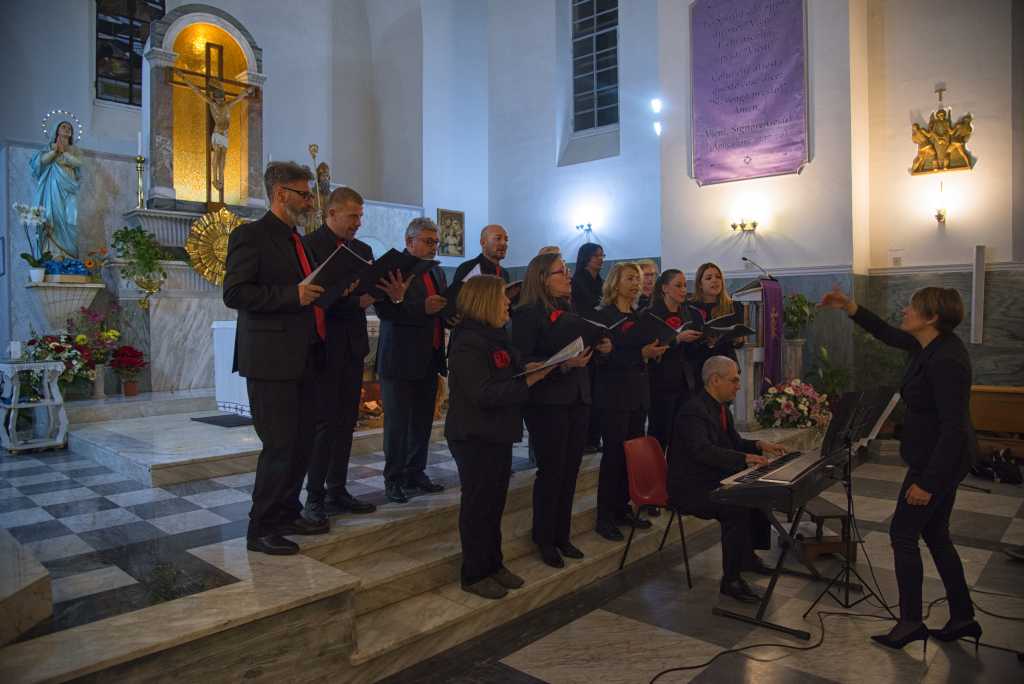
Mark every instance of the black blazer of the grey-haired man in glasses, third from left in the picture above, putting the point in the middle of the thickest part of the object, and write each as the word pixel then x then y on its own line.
pixel 406 349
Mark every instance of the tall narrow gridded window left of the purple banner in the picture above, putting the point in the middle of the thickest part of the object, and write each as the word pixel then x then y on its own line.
pixel 595 64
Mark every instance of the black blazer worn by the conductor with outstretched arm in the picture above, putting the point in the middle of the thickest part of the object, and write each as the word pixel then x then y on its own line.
pixel 938 441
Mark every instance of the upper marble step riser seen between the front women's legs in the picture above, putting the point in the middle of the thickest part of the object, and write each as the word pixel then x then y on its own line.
pixel 403 572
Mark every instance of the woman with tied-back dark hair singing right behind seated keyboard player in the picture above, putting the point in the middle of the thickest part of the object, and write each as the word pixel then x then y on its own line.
pixel 672 378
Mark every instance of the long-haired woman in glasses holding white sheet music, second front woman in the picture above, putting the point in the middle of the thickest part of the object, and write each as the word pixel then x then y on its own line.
pixel 559 411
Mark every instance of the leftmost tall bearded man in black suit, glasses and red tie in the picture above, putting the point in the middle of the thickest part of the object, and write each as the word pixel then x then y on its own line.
pixel 279 349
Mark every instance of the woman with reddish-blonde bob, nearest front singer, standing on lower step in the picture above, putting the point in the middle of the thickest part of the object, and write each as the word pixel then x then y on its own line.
pixel 485 419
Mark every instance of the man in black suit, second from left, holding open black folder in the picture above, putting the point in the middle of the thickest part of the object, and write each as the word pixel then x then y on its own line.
pixel 348 346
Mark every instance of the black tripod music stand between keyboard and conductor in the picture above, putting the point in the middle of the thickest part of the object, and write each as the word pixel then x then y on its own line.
pixel 873 410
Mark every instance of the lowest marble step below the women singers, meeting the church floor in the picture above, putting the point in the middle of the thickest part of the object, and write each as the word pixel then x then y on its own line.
pixel 397 636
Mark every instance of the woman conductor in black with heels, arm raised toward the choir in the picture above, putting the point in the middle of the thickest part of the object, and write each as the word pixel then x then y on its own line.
pixel 938 445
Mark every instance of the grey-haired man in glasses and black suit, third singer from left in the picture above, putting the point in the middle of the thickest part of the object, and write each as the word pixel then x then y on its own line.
pixel 410 357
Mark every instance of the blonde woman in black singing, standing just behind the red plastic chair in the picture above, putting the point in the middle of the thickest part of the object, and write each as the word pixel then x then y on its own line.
pixel 623 396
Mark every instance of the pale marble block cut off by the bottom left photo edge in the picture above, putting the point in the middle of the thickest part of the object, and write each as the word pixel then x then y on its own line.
pixel 26 593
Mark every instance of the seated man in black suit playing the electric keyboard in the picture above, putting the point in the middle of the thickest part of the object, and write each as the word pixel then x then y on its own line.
pixel 707 449
